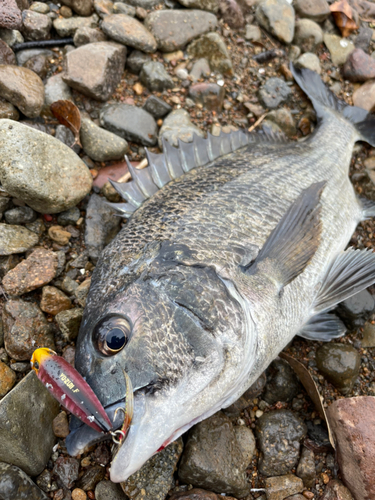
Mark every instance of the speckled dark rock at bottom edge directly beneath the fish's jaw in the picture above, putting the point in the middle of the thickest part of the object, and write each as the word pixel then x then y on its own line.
pixel 155 477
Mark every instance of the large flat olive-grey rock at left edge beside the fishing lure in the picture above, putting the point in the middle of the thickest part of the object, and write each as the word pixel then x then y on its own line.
pixel 26 415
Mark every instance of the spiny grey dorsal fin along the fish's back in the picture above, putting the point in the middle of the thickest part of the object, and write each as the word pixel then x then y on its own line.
pixel 174 162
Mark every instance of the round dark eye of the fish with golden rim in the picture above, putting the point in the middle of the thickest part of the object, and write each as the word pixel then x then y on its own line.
pixel 112 334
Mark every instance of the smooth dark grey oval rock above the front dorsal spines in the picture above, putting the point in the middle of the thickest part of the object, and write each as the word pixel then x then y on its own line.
pixel 130 122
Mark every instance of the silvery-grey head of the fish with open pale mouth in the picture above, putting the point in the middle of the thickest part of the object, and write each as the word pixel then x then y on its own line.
pixel 177 332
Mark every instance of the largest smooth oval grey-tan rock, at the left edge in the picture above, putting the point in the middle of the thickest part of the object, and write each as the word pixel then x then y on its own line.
pixel 40 170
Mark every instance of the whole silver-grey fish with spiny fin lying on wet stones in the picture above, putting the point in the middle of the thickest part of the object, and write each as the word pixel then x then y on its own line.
pixel 233 245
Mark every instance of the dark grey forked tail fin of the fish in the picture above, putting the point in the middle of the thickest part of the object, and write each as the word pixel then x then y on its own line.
pixel 322 98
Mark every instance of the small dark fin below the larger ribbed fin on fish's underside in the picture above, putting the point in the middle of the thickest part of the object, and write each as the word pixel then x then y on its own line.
pixel 324 327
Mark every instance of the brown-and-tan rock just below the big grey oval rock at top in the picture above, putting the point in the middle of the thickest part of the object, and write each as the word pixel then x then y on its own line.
pixel 212 47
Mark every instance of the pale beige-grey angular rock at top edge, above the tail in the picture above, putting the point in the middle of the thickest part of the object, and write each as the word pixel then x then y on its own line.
pixel 277 17
